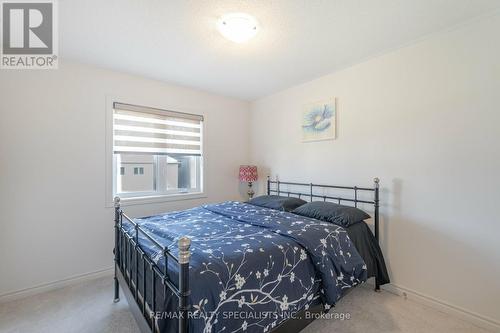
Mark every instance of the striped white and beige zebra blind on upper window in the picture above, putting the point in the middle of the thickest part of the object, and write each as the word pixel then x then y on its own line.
pixel 142 130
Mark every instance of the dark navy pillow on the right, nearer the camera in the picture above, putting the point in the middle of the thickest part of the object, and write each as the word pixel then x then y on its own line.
pixel 332 212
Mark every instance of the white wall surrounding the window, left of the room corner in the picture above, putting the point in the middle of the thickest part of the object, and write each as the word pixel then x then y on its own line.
pixel 54 223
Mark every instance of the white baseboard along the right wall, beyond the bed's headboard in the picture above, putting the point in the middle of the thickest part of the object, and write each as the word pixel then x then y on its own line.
pixel 469 316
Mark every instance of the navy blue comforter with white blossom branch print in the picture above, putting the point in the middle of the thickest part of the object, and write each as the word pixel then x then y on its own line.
pixel 252 267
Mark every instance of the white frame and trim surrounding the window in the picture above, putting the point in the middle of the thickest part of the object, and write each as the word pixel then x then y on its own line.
pixel 138 198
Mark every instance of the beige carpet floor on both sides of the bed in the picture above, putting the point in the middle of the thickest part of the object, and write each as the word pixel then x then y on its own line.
pixel 88 307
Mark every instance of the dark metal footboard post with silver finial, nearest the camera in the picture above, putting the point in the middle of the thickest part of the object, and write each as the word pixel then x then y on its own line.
pixel 184 244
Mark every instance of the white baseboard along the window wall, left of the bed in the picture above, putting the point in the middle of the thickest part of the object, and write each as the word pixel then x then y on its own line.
pixel 11 296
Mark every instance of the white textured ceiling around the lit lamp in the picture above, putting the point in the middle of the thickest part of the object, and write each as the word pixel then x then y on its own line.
pixel 176 40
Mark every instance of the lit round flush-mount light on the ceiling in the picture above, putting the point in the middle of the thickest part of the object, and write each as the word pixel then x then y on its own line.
pixel 237 27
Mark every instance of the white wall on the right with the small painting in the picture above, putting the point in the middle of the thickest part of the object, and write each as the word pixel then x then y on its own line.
pixel 426 120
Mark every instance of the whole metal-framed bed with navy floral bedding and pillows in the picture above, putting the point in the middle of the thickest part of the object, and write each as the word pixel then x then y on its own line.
pixel 236 267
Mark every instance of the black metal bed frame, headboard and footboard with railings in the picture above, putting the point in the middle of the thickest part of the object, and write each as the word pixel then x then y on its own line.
pixel 129 258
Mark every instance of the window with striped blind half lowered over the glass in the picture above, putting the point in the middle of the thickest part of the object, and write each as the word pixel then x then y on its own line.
pixel 162 151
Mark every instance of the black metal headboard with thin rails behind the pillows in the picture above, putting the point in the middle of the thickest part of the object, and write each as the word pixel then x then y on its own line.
pixel 311 195
